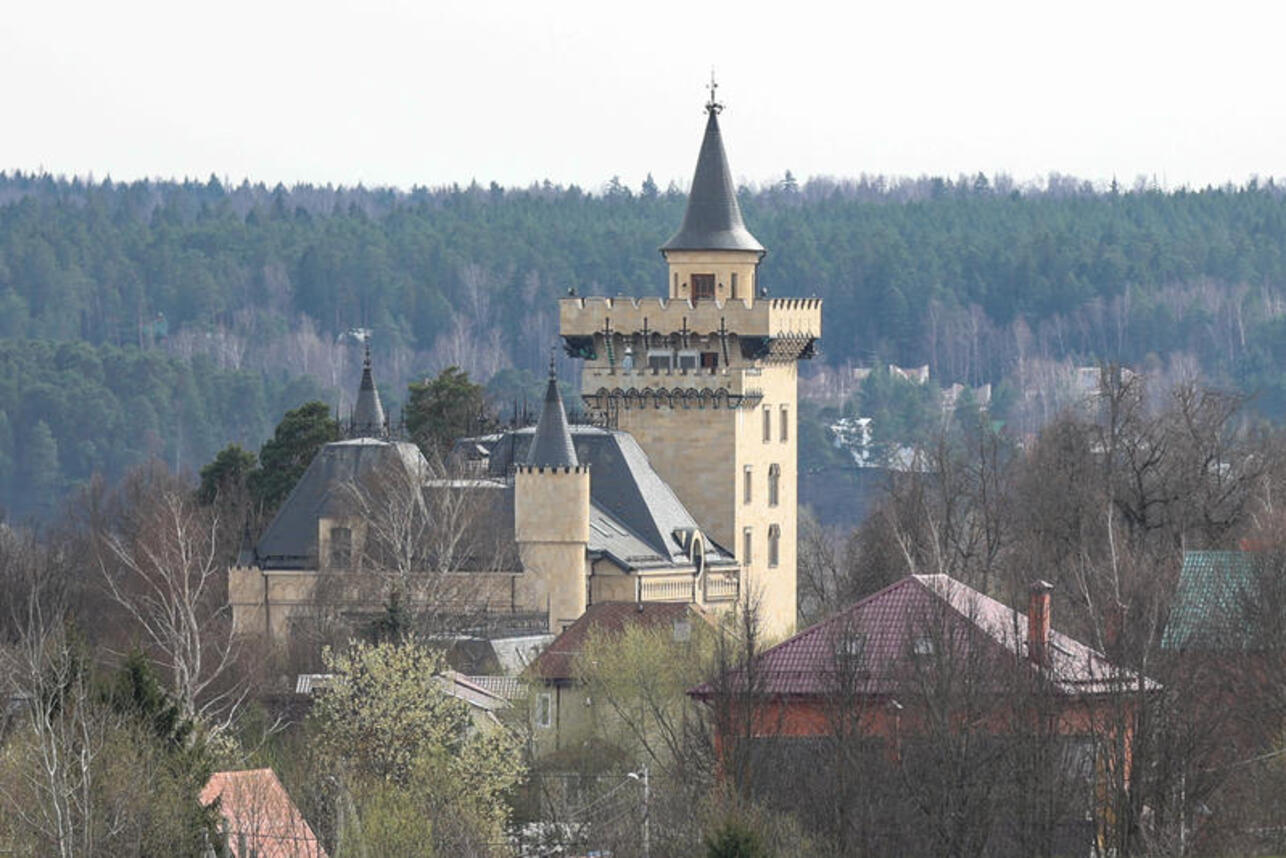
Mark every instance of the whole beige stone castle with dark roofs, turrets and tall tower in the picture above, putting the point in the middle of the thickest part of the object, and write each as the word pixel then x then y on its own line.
pixel 684 492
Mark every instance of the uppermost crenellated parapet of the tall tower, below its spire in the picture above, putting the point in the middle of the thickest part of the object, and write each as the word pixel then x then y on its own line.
pixel 586 317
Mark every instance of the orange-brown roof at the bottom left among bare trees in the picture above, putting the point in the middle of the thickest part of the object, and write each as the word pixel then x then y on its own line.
pixel 259 815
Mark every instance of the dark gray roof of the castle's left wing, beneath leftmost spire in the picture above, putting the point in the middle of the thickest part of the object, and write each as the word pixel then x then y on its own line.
pixel 291 541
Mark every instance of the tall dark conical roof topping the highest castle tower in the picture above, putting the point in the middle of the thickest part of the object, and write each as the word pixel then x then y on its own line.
pixel 713 221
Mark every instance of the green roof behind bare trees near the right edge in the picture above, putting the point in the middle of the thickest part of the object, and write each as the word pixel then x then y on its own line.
pixel 1211 604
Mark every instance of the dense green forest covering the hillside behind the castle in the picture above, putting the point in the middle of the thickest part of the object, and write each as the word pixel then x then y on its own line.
pixel 167 320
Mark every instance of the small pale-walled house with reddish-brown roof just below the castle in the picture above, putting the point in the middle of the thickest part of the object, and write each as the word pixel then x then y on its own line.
pixel 563 712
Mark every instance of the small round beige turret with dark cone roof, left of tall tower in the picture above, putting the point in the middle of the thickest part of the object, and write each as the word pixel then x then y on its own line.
pixel 551 516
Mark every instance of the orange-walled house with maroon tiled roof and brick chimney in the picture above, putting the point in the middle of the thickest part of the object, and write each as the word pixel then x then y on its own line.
pixel 928 685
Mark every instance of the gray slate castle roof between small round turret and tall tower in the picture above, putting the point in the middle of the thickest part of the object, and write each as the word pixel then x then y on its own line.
pixel 635 519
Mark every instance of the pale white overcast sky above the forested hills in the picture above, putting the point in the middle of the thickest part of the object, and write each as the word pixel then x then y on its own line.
pixel 438 92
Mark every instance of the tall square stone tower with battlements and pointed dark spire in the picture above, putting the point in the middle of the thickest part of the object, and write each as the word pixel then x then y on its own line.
pixel 707 381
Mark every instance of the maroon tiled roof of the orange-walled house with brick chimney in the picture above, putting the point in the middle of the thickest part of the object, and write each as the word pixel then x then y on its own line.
pixel 887 631
